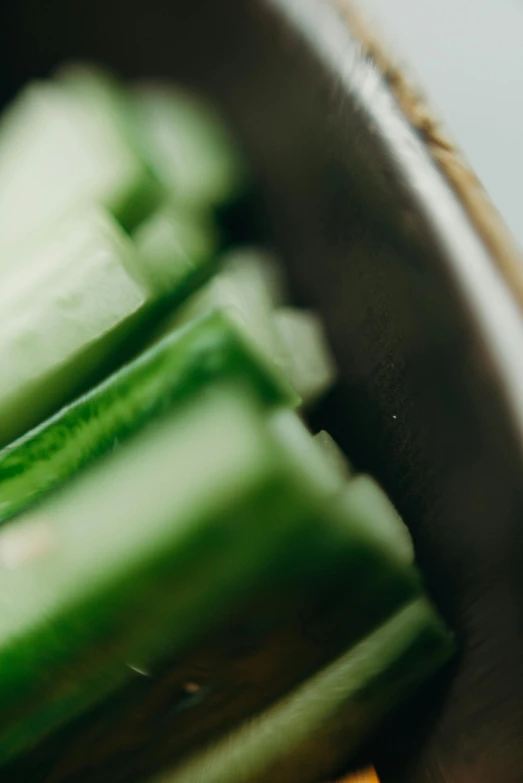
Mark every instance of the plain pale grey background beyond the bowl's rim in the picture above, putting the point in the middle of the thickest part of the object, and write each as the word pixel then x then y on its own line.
pixel 468 55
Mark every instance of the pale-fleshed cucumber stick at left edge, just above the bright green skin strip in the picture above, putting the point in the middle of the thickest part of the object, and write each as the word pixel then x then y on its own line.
pixel 63 308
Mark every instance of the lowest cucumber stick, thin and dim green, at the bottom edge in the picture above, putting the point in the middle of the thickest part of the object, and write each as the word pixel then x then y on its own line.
pixel 311 733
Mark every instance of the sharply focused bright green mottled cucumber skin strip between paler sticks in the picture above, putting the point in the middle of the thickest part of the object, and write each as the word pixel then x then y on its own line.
pixel 166 375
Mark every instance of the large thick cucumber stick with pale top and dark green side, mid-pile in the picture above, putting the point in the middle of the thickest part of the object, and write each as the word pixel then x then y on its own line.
pixel 148 550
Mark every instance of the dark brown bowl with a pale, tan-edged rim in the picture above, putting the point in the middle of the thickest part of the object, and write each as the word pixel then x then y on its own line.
pixel 384 231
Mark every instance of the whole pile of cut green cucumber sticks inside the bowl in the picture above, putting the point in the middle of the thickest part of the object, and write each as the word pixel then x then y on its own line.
pixel 162 500
